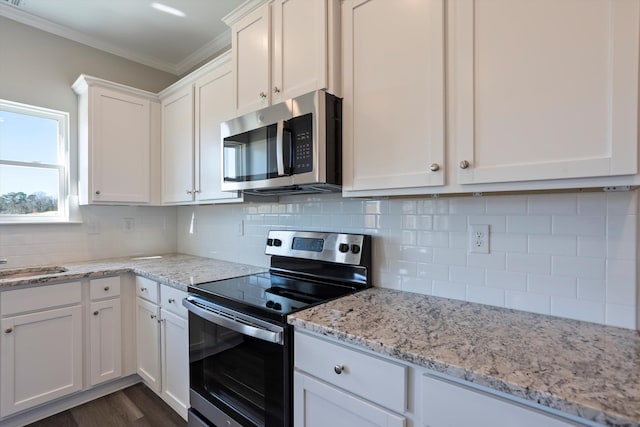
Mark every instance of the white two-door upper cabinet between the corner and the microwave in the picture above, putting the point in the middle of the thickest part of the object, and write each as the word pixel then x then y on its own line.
pixel 192 110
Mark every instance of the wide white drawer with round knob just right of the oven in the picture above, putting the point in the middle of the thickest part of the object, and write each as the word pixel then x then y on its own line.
pixel 375 379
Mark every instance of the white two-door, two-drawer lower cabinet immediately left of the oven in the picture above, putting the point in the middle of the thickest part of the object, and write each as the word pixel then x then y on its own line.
pixel 163 342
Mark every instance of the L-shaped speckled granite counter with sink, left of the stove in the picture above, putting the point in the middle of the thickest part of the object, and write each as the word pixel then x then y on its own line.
pixel 175 270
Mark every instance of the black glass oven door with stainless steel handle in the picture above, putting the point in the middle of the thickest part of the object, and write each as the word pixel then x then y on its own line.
pixel 239 367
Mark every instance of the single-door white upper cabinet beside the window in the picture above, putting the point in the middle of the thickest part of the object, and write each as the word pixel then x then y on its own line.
pixel 118 140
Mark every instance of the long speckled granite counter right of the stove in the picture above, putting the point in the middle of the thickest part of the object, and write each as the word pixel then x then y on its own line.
pixel 581 368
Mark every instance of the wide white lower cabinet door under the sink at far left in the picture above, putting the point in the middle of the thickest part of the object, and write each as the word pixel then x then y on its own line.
pixel 41 358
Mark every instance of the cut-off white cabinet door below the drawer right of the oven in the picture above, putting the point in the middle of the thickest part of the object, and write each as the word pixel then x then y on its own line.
pixel 317 404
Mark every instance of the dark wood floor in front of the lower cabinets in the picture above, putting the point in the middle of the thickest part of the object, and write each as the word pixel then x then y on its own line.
pixel 136 406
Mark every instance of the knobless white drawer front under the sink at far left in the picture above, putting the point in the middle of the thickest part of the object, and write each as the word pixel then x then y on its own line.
pixel 39 297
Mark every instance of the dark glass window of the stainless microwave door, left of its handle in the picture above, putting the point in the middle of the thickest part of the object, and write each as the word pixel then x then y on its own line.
pixel 251 156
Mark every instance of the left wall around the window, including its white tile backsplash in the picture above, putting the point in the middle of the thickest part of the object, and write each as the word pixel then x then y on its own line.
pixel 38 68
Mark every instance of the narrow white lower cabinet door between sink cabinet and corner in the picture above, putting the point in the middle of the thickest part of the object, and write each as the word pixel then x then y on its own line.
pixel 106 340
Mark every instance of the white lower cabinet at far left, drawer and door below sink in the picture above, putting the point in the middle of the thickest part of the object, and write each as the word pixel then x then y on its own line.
pixel 40 351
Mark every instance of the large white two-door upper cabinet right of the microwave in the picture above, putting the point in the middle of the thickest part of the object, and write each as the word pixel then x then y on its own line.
pixel 468 96
